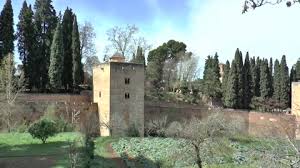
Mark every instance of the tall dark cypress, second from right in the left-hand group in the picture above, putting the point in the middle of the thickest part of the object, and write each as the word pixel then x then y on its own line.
pixel 67 28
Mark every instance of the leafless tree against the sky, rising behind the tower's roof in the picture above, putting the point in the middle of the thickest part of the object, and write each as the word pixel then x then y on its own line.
pixel 125 40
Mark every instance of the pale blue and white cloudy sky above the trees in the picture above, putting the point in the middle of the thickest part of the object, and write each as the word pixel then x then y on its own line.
pixel 206 26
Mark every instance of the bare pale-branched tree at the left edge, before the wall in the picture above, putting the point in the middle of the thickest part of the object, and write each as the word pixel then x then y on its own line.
pixel 10 87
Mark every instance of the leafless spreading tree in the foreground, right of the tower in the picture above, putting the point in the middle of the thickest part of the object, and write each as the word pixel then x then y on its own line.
pixel 202 134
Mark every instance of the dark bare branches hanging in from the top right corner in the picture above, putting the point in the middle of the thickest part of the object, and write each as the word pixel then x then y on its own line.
pixel 252 4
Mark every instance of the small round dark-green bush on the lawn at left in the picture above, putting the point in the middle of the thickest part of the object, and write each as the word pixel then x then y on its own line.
pixel 43 129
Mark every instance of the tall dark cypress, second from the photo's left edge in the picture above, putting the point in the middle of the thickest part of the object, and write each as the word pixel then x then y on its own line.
pixel 26 43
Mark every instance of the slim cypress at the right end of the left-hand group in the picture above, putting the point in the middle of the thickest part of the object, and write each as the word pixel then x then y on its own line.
pixel 77 69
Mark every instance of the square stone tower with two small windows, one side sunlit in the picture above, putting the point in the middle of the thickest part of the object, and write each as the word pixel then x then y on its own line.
pixel 118 89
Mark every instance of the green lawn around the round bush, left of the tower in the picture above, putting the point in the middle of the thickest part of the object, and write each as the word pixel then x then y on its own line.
pixel 23 149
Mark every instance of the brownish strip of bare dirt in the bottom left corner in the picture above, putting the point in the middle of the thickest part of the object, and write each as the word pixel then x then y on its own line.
pixel 27 162
